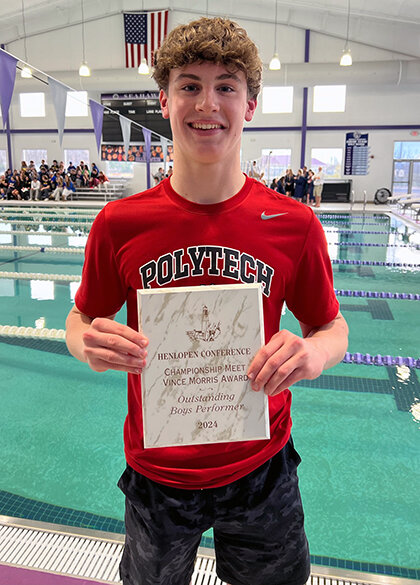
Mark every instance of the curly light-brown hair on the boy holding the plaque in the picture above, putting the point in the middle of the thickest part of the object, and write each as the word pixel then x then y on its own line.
pixel 217 40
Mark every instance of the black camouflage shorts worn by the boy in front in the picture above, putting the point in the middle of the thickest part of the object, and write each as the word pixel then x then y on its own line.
pixel 257 522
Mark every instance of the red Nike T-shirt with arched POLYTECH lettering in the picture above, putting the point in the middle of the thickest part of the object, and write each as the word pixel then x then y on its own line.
pixel 156 239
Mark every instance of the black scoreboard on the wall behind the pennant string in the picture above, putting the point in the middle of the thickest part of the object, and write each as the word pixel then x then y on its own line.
pixel 141 107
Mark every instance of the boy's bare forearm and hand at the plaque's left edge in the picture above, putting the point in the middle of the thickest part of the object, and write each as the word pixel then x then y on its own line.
pixel 105 344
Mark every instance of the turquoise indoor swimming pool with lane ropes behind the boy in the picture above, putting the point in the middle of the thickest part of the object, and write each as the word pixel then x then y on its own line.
pixel 356 427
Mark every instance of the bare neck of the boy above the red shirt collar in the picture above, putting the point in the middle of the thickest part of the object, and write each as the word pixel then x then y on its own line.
pixel 209 183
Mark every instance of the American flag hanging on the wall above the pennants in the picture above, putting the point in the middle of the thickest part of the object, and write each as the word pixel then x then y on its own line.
pixel 144 33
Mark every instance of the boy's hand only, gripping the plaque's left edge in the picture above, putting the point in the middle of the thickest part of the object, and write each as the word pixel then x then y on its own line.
pixel 108 345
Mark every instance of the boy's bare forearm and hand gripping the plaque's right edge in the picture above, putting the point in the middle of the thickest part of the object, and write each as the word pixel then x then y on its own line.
pixel 288 358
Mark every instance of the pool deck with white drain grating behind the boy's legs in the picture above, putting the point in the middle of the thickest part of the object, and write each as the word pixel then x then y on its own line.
pixel 37 553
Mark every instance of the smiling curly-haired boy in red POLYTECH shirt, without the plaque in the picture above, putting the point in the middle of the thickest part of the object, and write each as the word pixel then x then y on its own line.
pixel 210 224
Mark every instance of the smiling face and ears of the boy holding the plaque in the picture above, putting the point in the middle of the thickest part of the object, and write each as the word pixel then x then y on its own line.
pixel 207 106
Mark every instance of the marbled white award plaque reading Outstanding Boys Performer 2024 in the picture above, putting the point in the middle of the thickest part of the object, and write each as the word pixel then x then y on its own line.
pixel 194 387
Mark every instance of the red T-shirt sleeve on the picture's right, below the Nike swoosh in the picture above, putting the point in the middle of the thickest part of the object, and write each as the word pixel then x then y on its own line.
pixel 310 295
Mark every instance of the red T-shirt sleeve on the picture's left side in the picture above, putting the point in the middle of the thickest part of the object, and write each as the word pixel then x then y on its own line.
pixel 101 292
